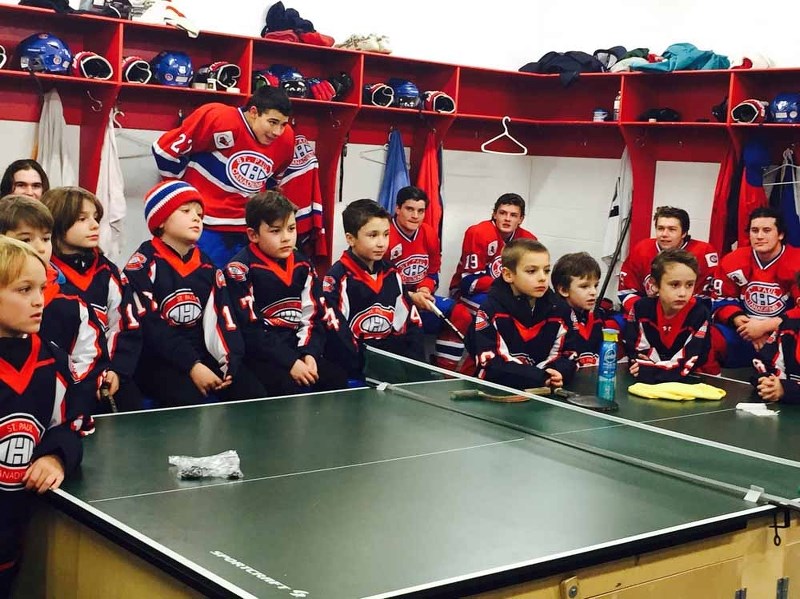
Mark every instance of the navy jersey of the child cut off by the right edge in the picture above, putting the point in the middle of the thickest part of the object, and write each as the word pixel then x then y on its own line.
pixel 781 356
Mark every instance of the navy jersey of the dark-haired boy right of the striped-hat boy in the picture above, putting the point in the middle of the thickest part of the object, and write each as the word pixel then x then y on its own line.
pixel 278 305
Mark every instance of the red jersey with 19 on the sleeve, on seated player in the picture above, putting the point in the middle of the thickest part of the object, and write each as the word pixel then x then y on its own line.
pixel 480 262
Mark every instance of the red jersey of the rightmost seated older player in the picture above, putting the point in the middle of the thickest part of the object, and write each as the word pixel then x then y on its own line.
pixel 744 285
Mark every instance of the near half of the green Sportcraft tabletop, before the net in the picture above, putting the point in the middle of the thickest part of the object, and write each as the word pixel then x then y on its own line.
pixel 369 493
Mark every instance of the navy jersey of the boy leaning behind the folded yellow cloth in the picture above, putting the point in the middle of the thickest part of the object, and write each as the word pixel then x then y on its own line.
pixel 671 347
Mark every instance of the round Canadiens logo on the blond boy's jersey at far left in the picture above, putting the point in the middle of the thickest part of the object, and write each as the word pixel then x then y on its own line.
pixel 19 435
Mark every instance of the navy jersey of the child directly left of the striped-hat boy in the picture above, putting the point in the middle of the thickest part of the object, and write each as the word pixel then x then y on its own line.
pixel 100 284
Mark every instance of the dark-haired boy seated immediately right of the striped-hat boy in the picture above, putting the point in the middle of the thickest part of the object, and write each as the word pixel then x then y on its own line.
pixel 278 303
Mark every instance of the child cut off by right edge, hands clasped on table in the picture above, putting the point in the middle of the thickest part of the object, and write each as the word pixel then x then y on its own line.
pixel 777 363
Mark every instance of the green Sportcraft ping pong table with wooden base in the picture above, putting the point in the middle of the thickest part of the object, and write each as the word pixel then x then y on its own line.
pixel 400 490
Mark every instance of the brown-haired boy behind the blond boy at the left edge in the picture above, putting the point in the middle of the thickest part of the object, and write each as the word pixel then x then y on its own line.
pixel 66 319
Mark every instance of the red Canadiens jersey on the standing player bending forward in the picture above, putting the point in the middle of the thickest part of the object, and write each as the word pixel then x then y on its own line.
pixel 216 151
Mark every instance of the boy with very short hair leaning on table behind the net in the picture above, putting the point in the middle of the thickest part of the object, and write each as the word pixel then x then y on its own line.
pixel 522 332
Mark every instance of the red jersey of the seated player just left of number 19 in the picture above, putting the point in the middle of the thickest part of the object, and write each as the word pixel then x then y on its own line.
pixel 418 257
